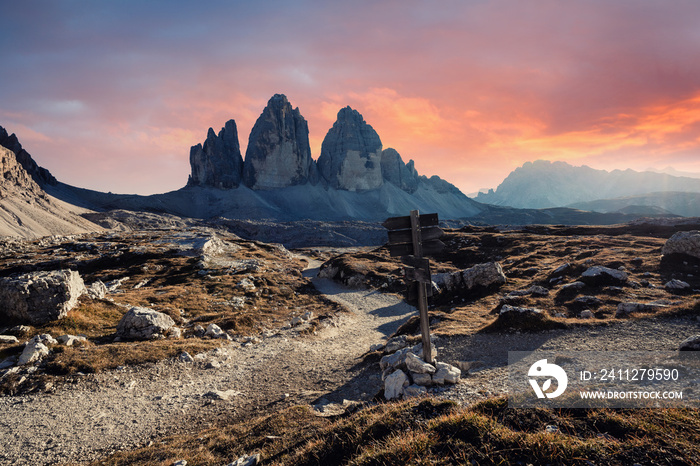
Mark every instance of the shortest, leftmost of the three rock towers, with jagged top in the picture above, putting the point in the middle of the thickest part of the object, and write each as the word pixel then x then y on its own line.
pixel 218 162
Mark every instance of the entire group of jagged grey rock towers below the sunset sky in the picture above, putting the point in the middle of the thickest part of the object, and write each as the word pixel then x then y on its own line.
pixel 279 156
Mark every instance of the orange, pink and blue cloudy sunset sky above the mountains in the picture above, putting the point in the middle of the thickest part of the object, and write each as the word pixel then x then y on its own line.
pixel 110 95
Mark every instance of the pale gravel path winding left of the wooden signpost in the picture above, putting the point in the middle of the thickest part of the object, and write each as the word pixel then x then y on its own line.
pixel 126 408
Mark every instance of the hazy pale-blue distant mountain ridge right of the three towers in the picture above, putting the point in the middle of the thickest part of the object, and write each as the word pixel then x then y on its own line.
pixel 543 184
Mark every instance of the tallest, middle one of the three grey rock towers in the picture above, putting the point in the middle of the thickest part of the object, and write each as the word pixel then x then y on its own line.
pixel 278 153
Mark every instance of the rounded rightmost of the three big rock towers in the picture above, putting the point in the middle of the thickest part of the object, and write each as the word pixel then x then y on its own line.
pixel 351 154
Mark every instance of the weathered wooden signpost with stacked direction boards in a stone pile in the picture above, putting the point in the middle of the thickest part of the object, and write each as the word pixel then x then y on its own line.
pixel 411 237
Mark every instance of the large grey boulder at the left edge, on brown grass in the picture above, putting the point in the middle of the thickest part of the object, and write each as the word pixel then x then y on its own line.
pixel 40 297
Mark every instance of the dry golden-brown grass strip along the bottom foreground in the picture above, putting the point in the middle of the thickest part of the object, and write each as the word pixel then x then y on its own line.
pixel 429 431
